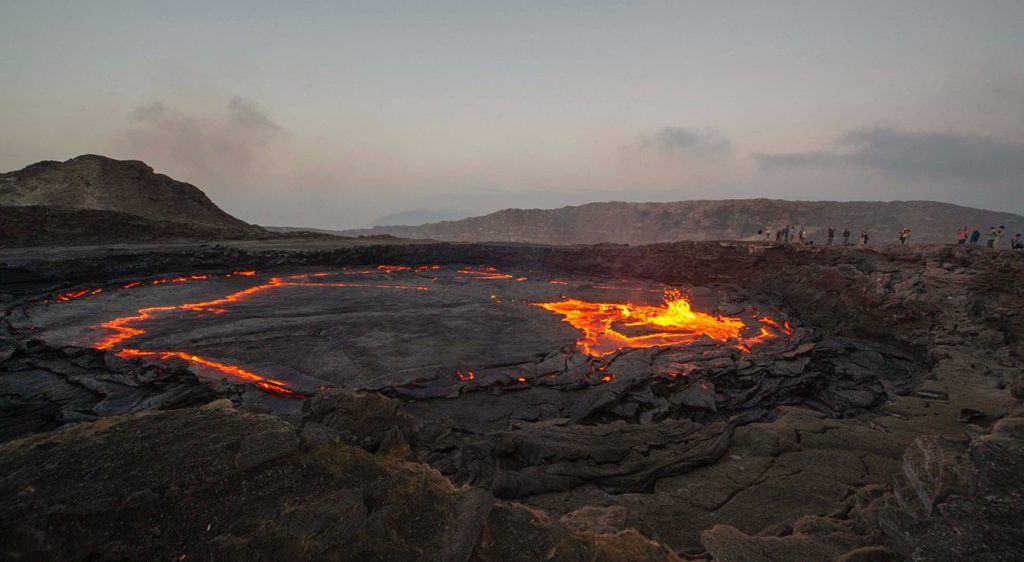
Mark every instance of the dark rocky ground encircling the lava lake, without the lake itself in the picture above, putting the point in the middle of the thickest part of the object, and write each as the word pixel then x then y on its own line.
pixel 823 461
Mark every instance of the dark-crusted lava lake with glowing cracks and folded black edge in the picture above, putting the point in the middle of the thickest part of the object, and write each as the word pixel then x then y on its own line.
pixel 485 350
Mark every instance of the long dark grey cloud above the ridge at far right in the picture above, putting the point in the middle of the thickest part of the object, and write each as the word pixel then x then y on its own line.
pixel 912 155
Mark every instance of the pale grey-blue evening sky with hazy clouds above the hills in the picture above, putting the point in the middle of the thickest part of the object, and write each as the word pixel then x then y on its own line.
pixel 332 114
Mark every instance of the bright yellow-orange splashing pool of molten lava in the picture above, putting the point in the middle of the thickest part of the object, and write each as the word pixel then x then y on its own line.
pixel 674 323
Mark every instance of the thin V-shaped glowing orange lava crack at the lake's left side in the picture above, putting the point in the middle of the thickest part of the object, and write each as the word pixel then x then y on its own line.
pixel 125 328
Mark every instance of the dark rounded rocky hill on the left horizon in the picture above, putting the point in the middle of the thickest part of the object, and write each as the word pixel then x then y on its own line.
pixel 93 199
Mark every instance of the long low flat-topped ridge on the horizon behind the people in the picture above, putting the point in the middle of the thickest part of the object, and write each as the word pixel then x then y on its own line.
pixel 620 223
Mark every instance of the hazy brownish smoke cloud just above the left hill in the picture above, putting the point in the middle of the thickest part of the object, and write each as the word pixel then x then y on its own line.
pixel 226 149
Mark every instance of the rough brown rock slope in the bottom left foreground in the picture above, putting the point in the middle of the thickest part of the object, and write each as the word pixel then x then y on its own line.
pixel 217 484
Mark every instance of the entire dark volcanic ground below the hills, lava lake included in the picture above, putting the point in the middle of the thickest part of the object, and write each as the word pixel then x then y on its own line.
pixel 488 402
